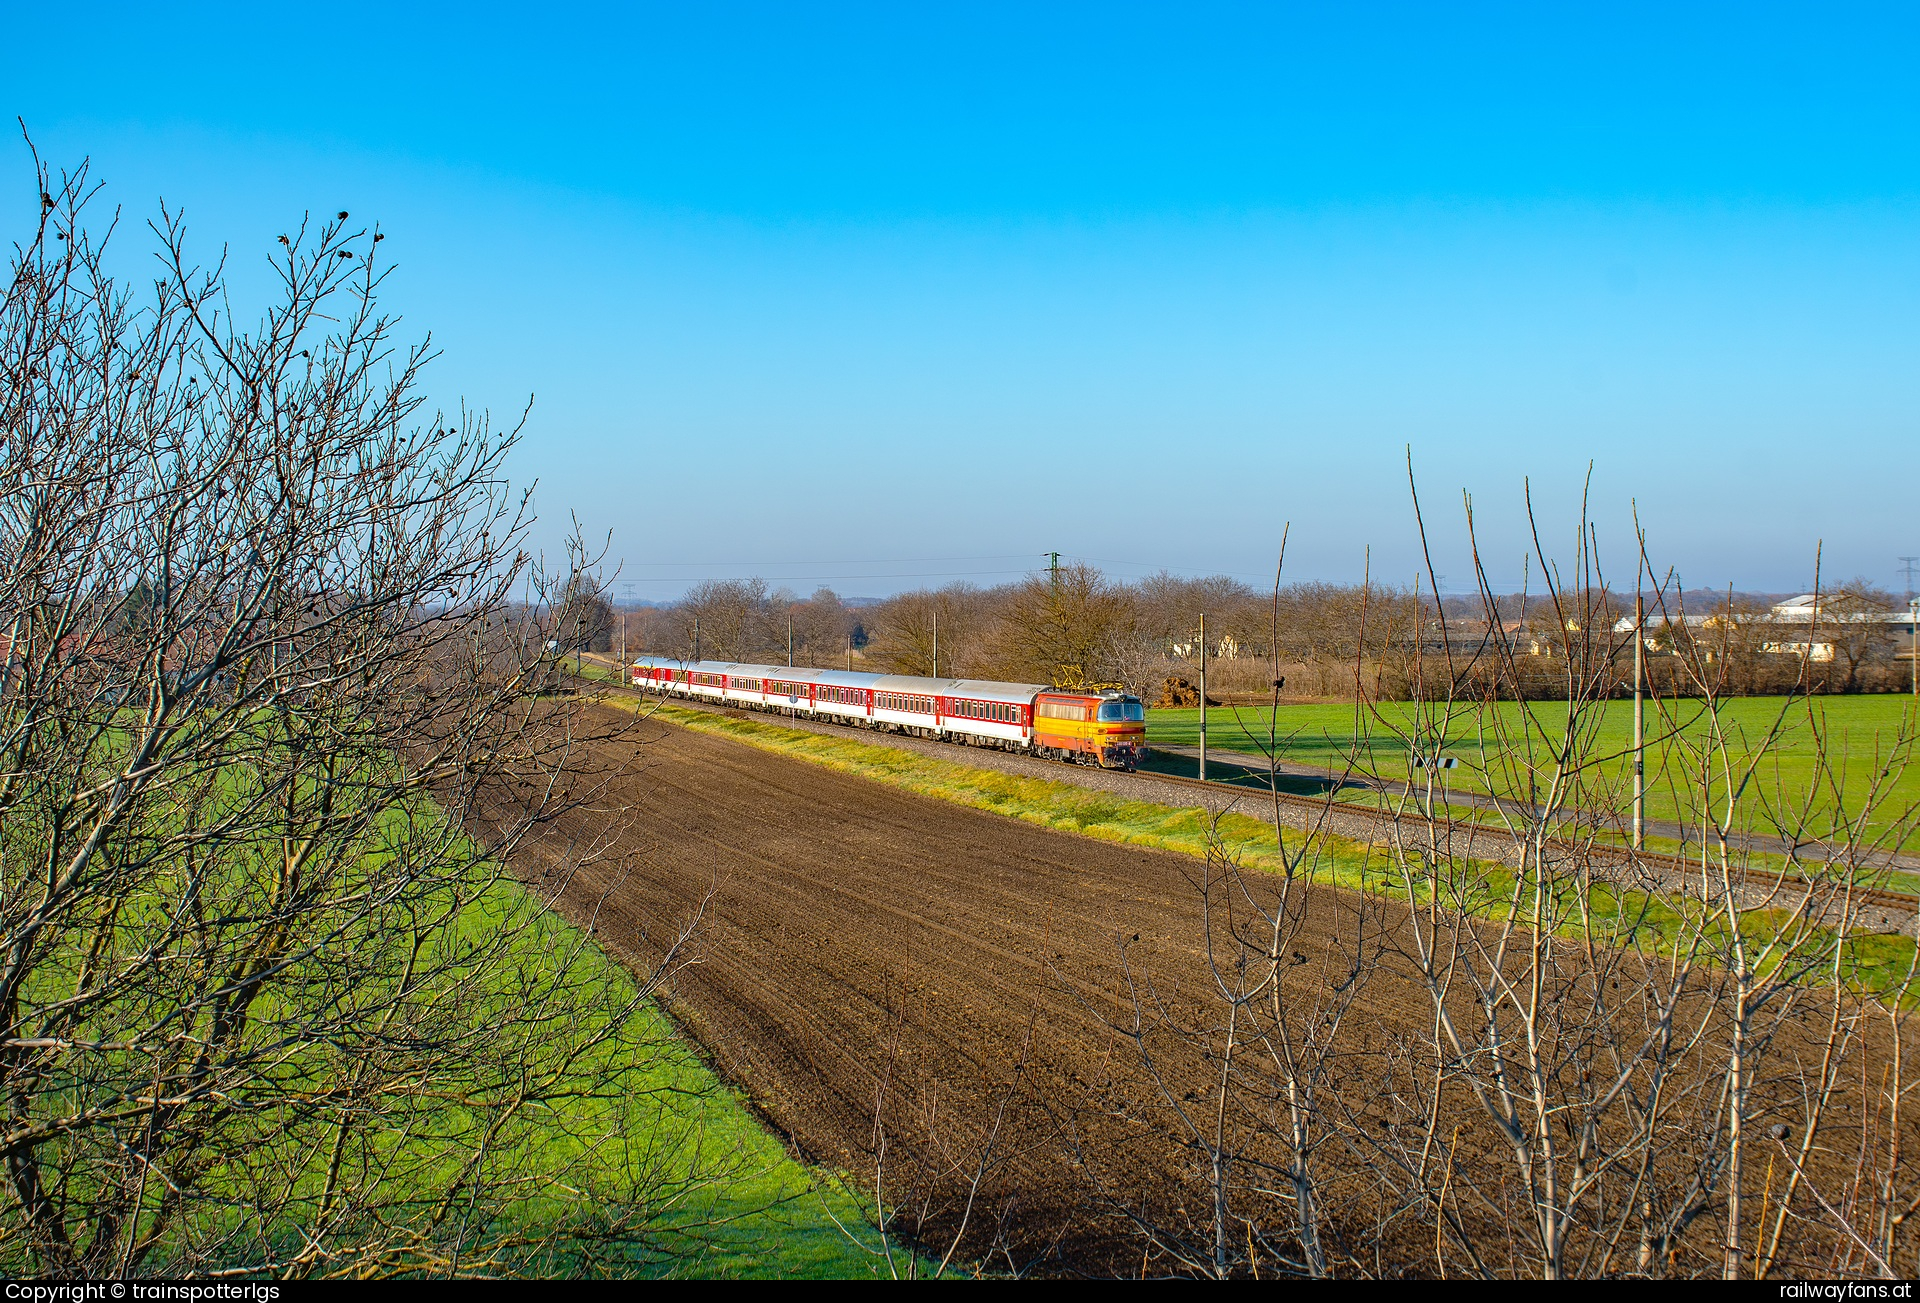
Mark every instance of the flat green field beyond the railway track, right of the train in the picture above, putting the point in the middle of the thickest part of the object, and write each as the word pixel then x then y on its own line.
pixel 1867 744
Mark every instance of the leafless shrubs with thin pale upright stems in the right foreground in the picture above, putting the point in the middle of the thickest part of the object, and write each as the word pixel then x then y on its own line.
pixel 1621 1066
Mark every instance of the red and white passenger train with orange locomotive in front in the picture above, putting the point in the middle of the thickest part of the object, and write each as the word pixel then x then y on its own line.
pixel 1105 728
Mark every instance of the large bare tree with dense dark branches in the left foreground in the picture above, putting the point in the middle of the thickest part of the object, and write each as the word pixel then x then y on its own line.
pixel 268 736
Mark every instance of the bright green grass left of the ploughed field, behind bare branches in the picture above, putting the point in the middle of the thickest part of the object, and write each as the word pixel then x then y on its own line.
pixel 661 1168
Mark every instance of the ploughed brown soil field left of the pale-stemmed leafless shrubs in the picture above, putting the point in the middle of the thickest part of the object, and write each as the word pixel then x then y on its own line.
pixel 959 976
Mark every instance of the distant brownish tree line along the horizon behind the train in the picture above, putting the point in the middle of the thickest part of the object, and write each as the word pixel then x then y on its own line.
pixel 1080 627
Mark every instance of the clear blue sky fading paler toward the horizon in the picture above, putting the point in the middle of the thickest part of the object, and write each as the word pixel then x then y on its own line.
pixel 1216 264
